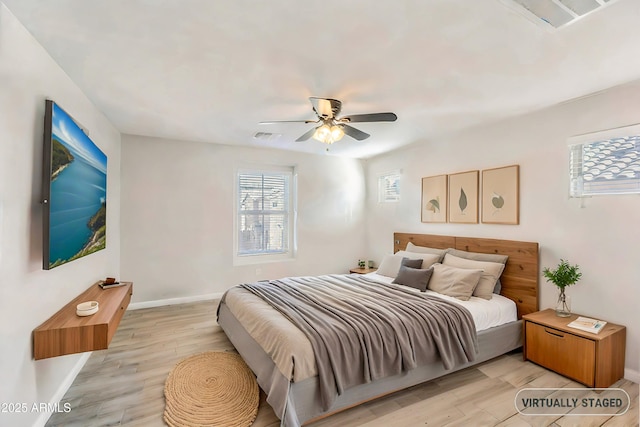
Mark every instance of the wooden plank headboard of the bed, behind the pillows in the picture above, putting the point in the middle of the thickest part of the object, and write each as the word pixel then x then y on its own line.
pixel 520 276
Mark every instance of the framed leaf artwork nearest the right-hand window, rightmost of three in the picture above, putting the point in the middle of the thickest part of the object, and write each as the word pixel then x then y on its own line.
pixel 501 195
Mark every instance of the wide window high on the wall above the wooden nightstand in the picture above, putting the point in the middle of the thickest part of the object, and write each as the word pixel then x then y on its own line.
pixel 608 164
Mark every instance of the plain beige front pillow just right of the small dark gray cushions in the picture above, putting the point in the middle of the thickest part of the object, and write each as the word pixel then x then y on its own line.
pixel 455 282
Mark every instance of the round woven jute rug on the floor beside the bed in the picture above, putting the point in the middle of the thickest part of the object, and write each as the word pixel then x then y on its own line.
pixel 211 389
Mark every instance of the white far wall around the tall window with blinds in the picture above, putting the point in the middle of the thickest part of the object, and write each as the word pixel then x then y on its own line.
pixel 177 216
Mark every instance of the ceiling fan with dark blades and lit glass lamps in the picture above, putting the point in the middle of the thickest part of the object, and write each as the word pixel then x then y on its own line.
pixel 331 127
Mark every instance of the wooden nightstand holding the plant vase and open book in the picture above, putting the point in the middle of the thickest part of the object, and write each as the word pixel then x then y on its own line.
pixel 595 360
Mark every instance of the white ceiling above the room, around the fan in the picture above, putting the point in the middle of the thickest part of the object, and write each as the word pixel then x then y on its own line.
pixel 209 71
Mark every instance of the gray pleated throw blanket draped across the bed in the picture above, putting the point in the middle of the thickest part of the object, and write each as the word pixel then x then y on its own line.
pixel 362 330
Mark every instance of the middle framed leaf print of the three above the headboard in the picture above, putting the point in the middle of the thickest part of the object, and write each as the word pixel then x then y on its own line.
pixel 463 197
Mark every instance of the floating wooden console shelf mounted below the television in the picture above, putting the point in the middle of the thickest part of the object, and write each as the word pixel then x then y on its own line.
pixel 65 332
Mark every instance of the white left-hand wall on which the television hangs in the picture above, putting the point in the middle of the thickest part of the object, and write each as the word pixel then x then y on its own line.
pixel 29 295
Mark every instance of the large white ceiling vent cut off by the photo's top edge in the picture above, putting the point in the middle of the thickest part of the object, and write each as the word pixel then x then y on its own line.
pixel 555 14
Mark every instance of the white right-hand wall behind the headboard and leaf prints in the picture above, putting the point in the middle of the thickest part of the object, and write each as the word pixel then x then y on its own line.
pixel 601 236
